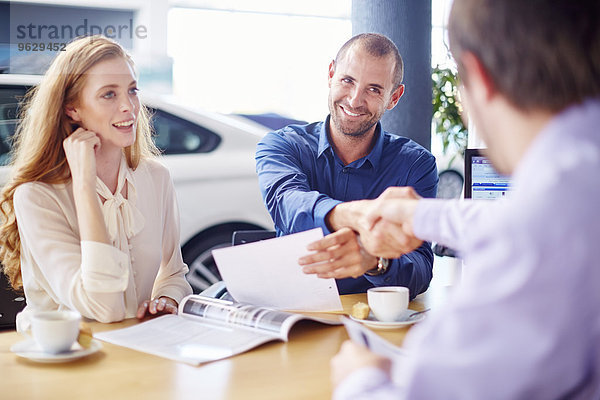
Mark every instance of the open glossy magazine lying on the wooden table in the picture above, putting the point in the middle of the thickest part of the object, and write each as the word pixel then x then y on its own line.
pixel 207 329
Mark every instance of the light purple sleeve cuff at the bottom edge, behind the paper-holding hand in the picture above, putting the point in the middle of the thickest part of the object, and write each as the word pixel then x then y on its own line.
pixel 361 383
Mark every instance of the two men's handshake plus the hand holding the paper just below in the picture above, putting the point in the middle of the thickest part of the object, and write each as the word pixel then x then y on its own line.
pixel 364 231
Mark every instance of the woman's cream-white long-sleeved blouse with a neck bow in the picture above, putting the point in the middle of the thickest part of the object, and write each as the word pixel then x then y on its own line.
pixel 103 282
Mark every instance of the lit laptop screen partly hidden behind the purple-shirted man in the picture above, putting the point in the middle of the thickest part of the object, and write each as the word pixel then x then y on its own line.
pixel 481 180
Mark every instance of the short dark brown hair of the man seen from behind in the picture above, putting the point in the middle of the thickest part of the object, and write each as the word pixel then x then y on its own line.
pixel 540 54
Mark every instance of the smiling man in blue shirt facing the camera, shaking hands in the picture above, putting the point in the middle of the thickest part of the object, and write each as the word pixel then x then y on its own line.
pixel 307 173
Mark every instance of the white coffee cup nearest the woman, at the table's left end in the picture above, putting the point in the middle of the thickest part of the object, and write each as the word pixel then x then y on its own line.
pixel 53 331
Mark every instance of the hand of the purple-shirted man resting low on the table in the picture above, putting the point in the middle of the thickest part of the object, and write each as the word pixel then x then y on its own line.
pixel 352 357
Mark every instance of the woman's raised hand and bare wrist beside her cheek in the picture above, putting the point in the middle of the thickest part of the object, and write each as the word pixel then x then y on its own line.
pixel 80 150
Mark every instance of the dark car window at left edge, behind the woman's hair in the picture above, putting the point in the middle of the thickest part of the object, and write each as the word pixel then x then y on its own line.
pixel 9 100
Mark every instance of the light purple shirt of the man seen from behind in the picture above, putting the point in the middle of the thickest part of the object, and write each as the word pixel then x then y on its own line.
pixel 525 321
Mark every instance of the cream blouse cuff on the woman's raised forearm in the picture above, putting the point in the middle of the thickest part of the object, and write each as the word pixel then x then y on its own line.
pixel 104 268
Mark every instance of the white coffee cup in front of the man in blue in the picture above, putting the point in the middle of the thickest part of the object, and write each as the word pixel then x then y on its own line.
pixel 388 303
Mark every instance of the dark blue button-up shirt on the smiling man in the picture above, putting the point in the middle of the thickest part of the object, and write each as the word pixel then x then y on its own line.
pixel 302 179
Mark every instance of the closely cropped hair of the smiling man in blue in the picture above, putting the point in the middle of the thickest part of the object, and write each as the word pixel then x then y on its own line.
pixel 379 46
